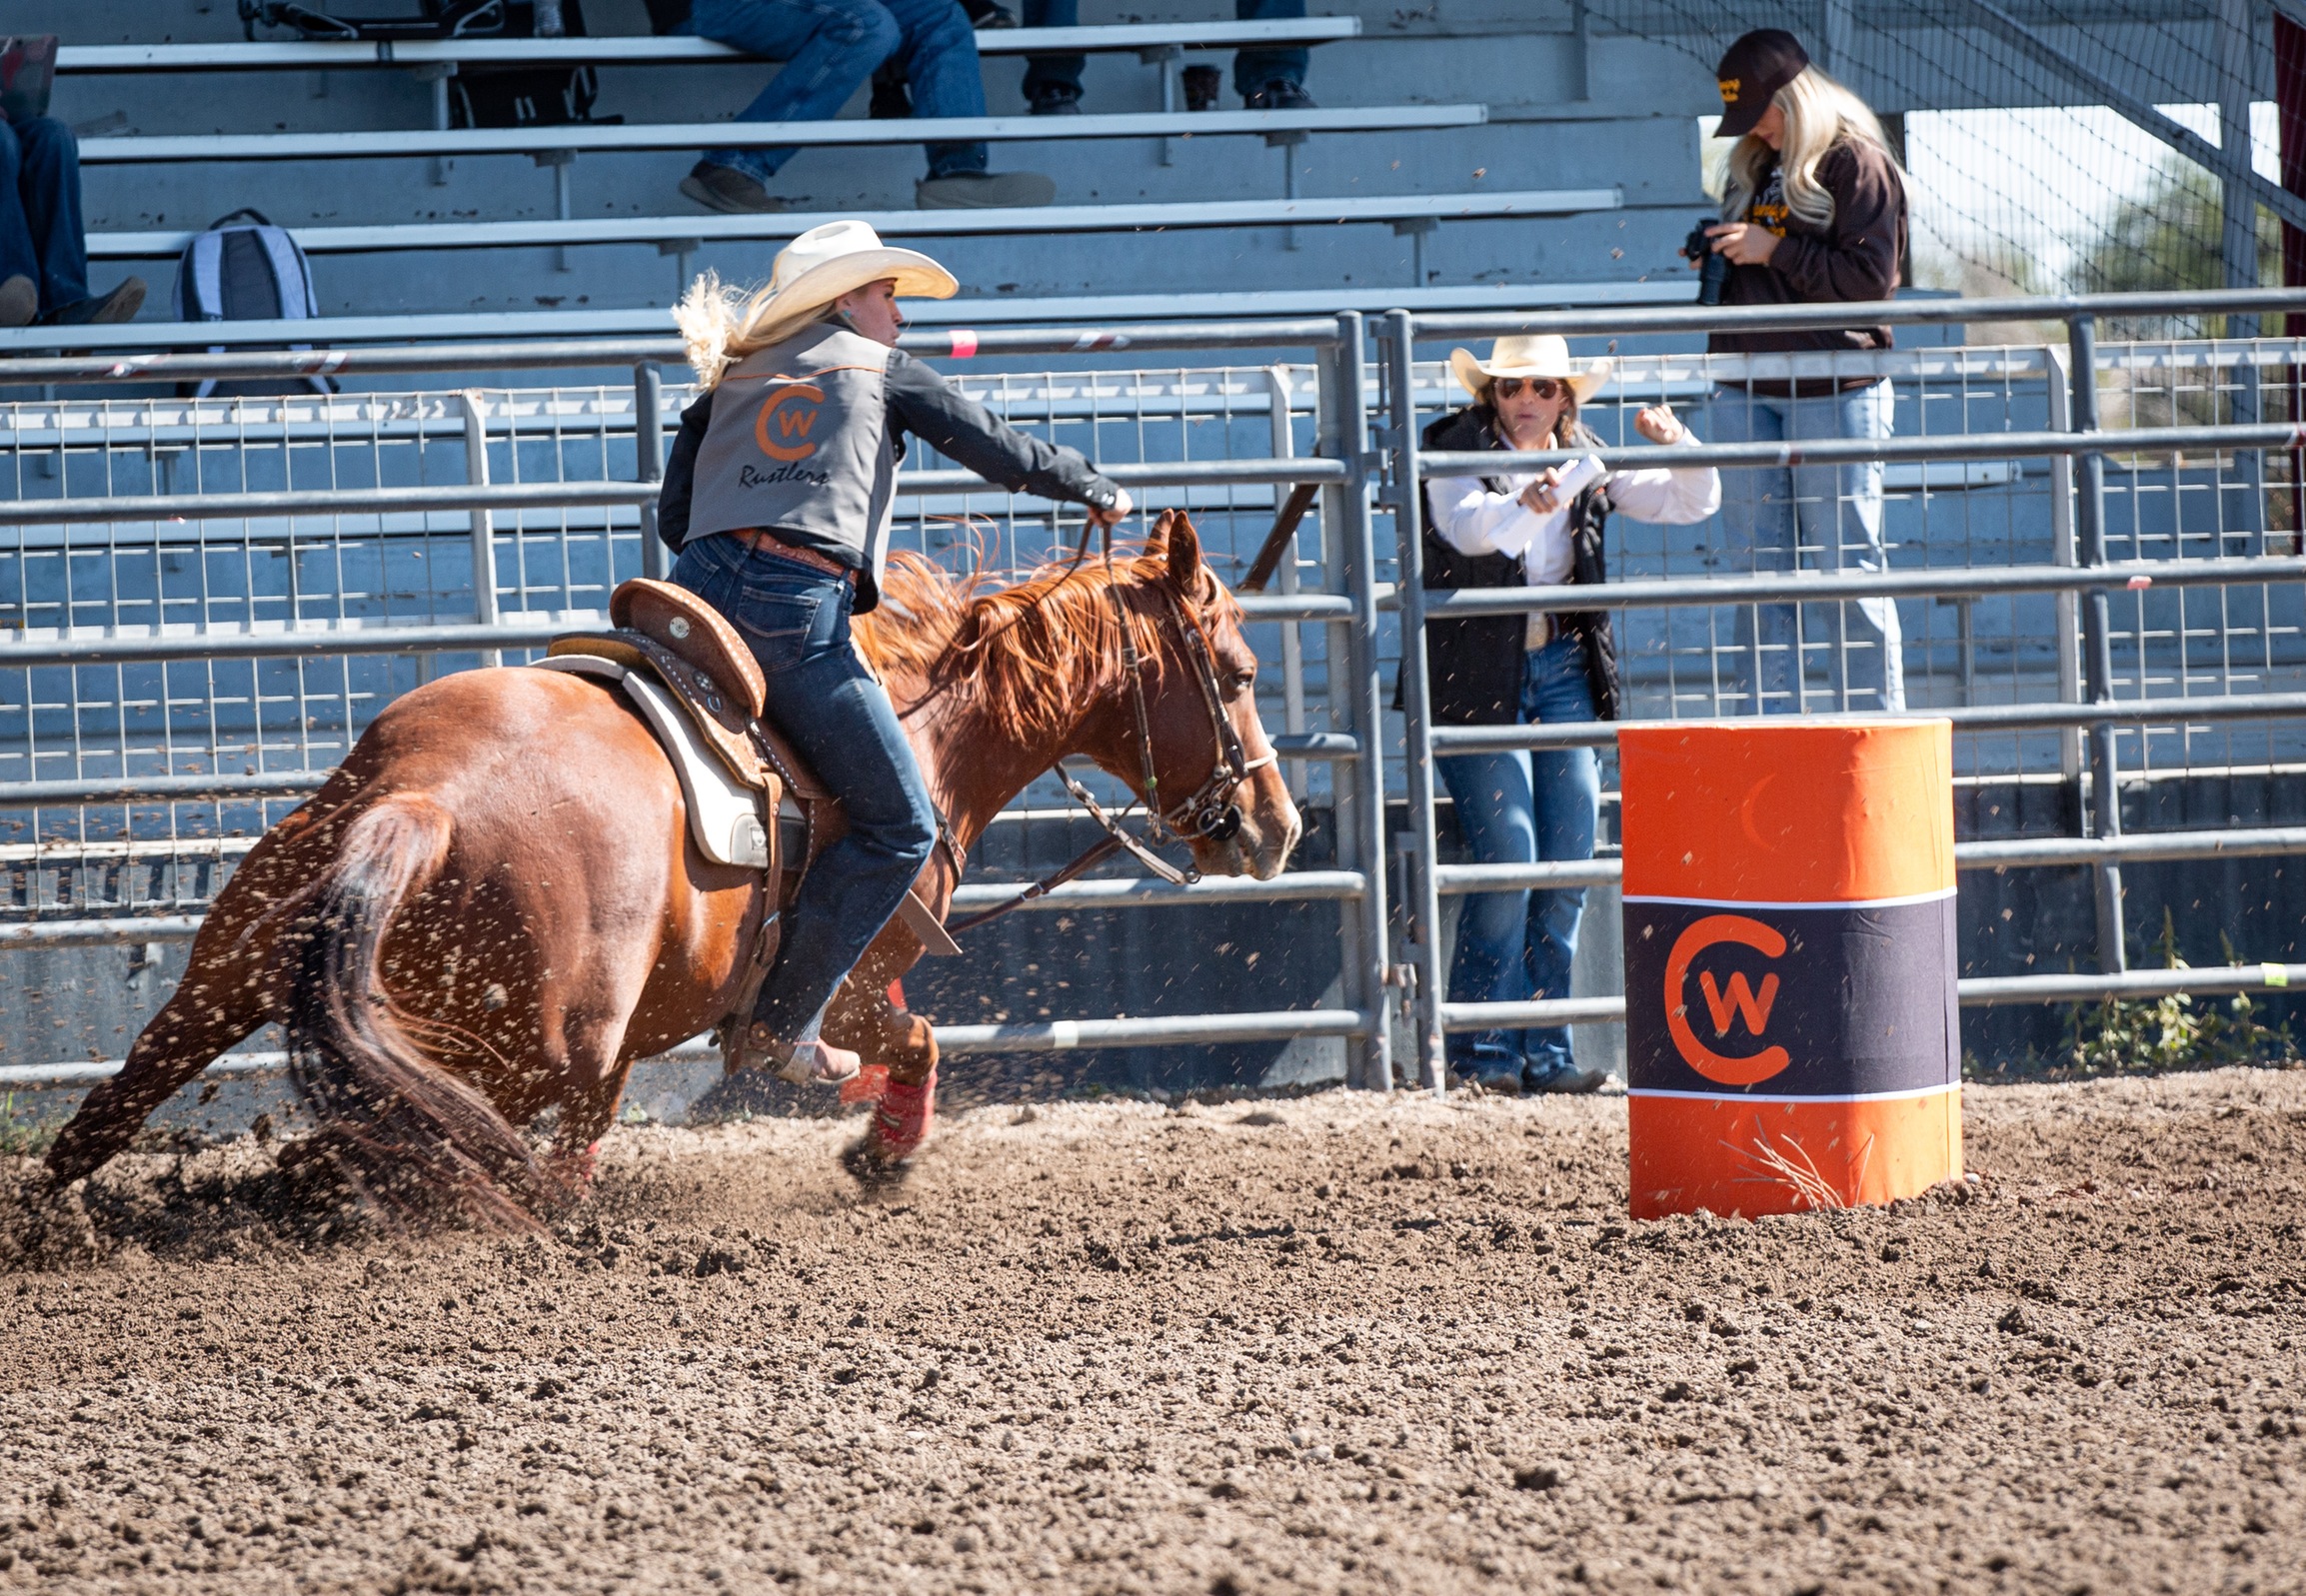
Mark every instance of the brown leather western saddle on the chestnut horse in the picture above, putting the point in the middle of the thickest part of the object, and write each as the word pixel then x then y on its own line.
pixel 681 642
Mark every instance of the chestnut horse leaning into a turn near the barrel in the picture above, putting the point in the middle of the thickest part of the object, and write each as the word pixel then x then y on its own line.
pixel 495 905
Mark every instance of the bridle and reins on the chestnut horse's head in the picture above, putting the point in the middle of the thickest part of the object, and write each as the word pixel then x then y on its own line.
pixel 1207 815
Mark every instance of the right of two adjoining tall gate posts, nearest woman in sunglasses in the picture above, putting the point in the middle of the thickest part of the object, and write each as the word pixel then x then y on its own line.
pixel 1417 721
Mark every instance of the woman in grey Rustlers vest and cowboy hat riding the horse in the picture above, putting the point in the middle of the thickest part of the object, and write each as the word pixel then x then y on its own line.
pixel 778 497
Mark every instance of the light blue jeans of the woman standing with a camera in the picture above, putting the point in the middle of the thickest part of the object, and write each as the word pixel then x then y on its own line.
pixel 1772 513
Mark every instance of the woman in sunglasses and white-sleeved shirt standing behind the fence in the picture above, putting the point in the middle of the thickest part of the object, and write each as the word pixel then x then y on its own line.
pixel 1537 529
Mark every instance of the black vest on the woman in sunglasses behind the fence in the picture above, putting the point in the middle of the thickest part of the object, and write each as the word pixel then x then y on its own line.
pixel 1475 665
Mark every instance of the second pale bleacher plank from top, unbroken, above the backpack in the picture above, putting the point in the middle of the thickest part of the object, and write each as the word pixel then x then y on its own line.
pixel 603 140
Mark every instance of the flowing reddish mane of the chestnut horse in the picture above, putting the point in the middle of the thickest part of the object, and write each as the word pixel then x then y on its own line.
pixel 1030 652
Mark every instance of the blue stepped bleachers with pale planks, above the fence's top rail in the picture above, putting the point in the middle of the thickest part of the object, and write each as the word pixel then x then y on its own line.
pixel 347 163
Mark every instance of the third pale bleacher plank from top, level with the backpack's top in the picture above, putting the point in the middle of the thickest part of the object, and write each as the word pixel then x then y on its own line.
pixel 160 246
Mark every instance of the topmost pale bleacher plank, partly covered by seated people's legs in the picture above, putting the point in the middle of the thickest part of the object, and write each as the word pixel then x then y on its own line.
pixel 658 52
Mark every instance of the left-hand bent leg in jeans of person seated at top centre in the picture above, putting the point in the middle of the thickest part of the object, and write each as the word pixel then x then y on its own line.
pixel 827 47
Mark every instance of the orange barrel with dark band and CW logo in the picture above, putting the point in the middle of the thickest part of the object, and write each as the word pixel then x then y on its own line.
pixel 1793 1037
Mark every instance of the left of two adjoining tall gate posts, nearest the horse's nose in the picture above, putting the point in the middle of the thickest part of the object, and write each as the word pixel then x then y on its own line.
pixel 1357 688
